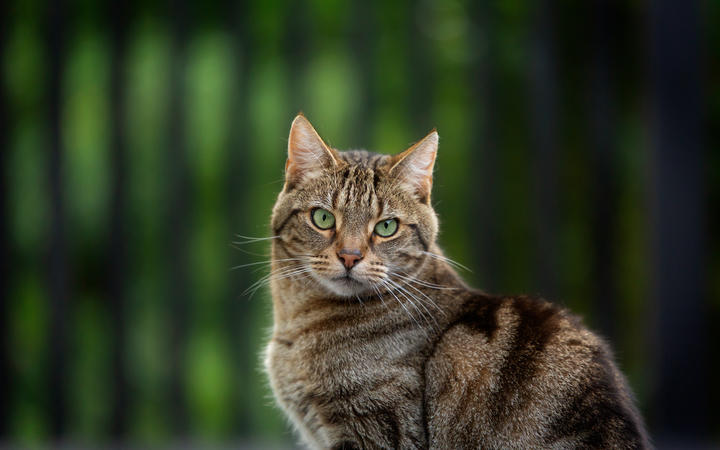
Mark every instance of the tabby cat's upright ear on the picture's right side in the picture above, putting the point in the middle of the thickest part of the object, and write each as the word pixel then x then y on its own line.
pixel 413 167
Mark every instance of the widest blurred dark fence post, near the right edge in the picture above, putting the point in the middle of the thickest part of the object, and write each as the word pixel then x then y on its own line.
pixel 678 241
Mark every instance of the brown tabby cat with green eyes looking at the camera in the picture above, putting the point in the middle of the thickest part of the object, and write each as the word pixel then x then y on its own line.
pixel 378 343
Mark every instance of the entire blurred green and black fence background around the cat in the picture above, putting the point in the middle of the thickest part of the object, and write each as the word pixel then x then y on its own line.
pixel 579 160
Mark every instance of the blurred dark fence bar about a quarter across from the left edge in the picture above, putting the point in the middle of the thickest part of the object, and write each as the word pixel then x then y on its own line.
pixel 177 217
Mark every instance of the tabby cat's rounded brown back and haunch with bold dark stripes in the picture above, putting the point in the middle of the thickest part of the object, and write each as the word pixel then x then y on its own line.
pixel 522 370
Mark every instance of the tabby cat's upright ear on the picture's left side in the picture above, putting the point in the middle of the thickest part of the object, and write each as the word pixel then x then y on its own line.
pixel 308 155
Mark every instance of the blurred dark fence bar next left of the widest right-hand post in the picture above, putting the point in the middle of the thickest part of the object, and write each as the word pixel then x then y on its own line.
pixel 604 177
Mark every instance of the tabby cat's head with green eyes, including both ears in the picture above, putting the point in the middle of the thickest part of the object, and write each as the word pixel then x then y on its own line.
pixel 354 221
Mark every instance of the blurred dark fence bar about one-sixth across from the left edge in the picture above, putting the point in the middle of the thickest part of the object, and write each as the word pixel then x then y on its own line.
pixel 117 257
